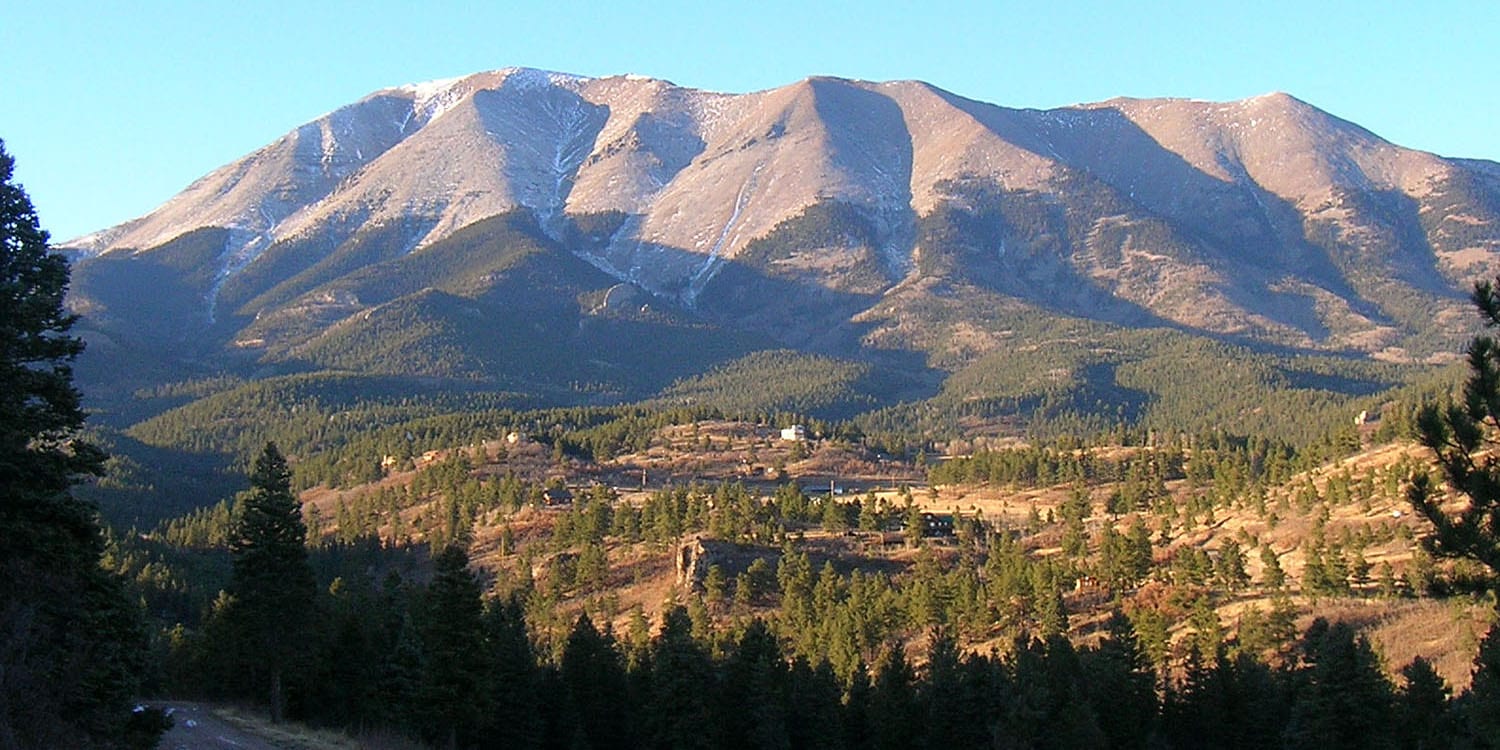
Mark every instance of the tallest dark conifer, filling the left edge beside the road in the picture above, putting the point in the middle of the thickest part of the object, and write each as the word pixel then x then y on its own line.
pixel 71 644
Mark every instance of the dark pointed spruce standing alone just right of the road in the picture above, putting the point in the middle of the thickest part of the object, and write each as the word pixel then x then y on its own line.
pixel 272 583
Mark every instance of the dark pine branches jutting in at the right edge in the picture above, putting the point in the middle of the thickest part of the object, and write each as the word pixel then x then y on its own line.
pixel 1463 437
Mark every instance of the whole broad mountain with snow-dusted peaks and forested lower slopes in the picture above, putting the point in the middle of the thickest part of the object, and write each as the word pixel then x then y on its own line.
pixel 601 239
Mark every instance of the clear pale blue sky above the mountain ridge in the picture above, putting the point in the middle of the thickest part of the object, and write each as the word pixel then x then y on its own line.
pixel 113 107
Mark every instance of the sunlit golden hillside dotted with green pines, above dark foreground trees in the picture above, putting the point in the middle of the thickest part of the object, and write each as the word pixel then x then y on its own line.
pixel 1189 542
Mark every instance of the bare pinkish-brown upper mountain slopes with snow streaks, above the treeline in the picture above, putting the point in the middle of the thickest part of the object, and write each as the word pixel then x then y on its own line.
pixel 691 179
